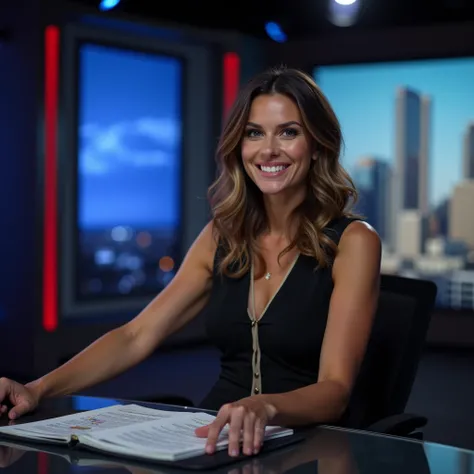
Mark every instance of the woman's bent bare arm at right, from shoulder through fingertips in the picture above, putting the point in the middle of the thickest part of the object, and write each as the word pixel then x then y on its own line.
pixel 356 276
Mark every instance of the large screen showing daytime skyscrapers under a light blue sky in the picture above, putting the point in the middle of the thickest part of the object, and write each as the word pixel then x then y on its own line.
pixel 409 146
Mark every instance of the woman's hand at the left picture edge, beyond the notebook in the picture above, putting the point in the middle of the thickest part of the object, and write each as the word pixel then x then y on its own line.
pixel 22 398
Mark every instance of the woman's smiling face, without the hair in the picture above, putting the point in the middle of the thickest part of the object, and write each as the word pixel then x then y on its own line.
pixel 276 152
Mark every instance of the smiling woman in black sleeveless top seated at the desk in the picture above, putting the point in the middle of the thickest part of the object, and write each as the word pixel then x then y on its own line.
pixel 287 276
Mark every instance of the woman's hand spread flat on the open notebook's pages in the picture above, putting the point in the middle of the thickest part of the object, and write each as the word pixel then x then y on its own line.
pixel 247 420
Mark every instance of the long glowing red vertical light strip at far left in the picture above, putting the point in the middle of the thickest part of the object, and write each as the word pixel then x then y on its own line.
pixel 50 234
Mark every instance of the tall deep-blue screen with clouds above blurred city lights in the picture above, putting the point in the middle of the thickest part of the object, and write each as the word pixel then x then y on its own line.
pixel 129 143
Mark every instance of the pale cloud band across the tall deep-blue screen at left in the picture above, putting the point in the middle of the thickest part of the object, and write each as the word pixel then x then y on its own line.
pixel 147 142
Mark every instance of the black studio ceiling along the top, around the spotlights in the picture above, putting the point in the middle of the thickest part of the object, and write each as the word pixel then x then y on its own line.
pixel 299 18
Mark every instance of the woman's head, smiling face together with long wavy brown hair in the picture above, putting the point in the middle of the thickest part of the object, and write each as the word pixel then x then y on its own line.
pixel 282 142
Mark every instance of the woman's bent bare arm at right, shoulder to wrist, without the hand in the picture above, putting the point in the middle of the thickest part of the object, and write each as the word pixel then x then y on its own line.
pixel 356 276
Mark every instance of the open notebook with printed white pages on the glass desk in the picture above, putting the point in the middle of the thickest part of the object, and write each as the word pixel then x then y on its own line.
pixel 130 431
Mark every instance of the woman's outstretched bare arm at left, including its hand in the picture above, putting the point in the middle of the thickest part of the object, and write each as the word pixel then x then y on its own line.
pixel 122 348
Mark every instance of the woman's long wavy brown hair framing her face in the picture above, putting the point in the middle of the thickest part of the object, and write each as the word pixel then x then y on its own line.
pixel 237 204
